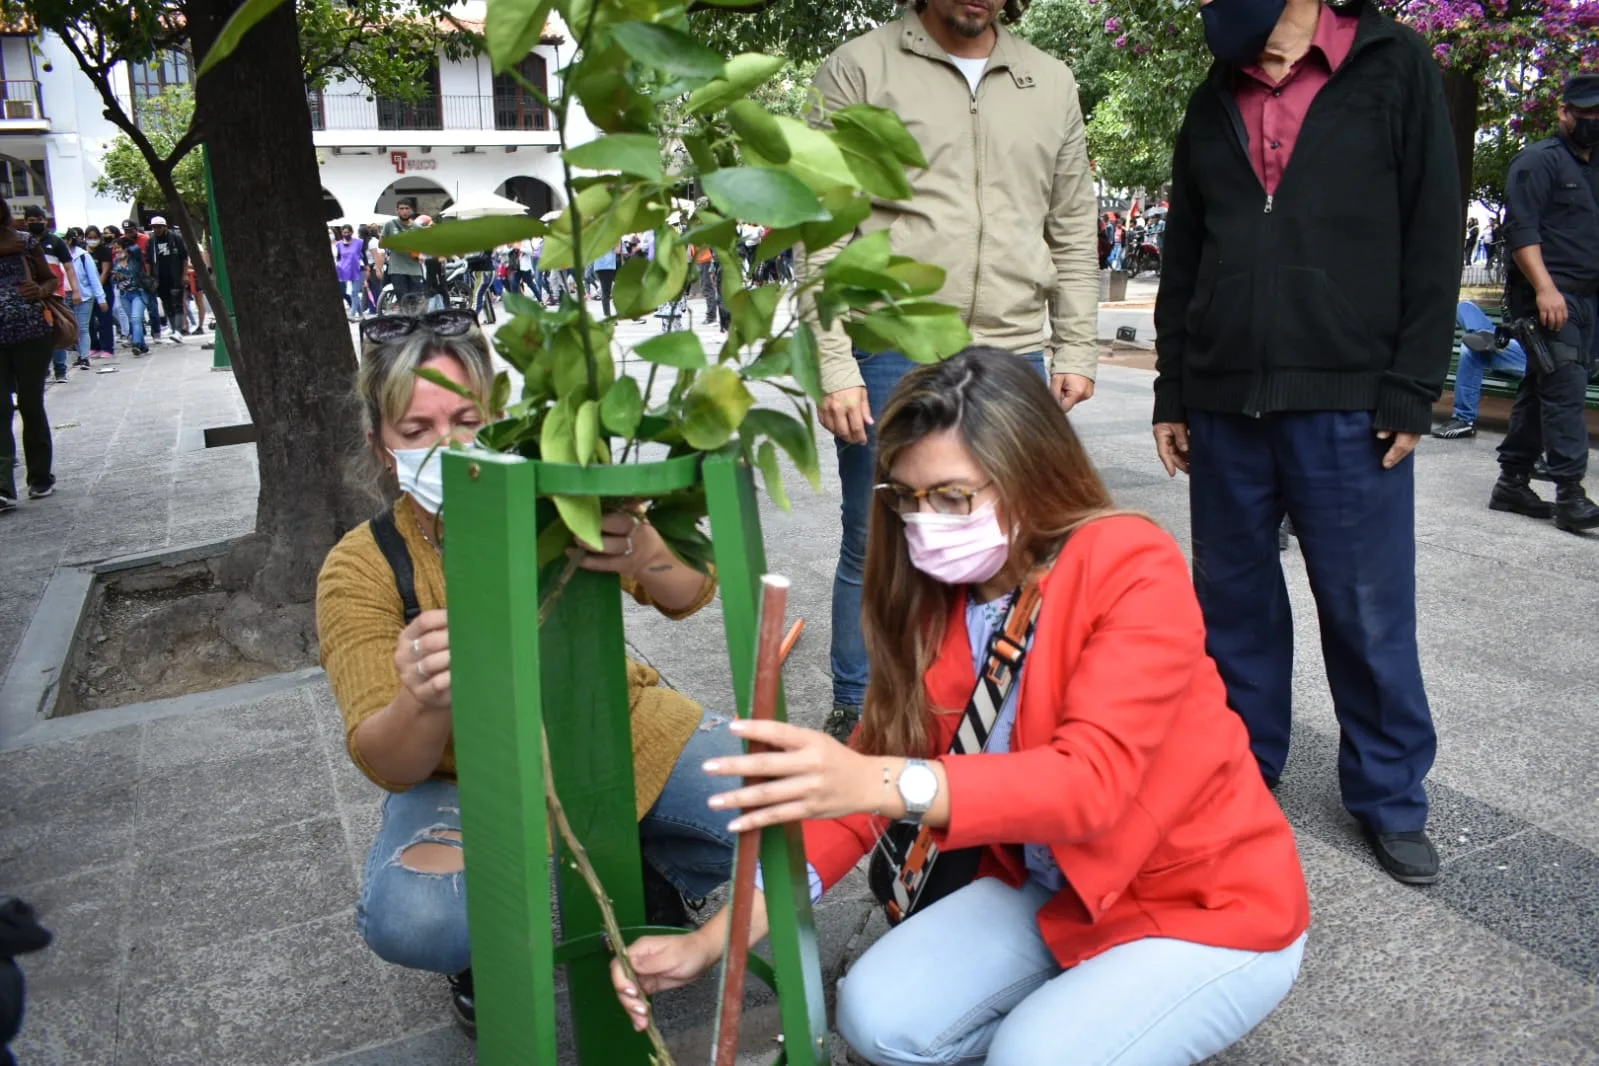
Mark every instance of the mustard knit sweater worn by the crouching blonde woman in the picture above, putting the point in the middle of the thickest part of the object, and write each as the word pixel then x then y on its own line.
pixel 359 622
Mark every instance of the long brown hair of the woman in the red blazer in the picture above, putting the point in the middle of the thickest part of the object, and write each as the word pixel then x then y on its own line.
pixel 1047 488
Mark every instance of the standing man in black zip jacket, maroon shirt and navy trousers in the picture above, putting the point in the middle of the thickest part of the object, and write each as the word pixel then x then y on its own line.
pixel 1304 328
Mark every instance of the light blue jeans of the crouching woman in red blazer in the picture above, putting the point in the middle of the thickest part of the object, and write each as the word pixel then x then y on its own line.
pixel 970 980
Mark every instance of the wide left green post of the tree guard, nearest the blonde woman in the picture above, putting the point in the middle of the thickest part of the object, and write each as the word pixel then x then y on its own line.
pixel 496 677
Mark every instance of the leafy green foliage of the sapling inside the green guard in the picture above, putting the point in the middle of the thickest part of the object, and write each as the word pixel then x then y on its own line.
pixel 637 70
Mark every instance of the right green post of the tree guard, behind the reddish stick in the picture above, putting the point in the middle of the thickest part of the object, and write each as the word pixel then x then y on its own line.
pixel 741 562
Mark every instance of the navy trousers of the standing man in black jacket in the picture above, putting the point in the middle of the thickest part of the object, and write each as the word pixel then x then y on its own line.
pixel 1357 528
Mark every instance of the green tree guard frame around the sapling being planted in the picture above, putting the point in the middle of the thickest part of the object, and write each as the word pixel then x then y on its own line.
pixel 511 683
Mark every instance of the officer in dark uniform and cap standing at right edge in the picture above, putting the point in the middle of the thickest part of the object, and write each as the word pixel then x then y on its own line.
pixel 1552 231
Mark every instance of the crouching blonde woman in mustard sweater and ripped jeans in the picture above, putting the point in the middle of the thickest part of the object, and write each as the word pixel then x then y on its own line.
pixel 393 678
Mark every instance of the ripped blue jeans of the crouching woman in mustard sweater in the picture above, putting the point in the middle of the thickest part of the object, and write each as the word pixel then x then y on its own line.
pixel 420 920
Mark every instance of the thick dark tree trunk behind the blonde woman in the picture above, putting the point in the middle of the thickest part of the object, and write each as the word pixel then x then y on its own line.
pixel 295 365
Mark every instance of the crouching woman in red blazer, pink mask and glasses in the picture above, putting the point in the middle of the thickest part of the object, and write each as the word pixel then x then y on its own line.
pixel 1139 901
